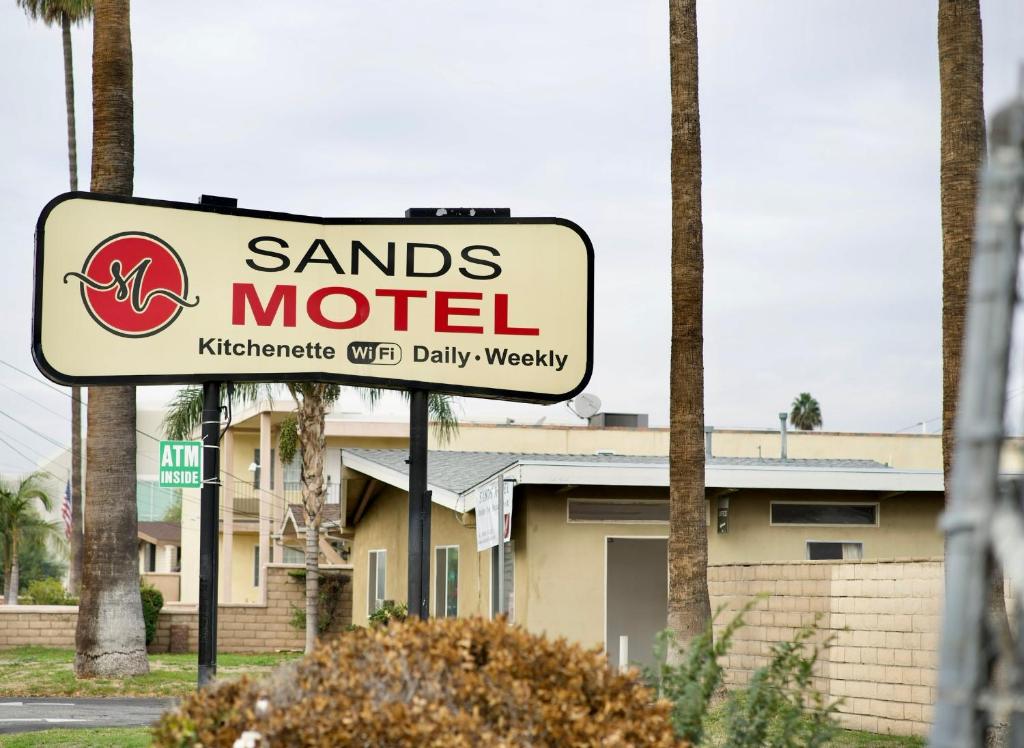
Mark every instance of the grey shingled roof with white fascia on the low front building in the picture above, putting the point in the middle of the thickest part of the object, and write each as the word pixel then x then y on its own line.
pixel 455 477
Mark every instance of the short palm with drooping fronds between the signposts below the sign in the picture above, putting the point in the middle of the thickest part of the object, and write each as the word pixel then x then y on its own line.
pixel 313 402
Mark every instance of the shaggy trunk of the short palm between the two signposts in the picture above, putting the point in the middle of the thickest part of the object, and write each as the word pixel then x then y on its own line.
pixel 314 443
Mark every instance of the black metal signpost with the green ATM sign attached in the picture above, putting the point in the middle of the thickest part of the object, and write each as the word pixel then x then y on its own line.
pixel 208 532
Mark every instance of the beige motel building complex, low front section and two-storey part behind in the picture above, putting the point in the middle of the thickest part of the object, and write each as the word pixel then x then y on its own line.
pixel 587 558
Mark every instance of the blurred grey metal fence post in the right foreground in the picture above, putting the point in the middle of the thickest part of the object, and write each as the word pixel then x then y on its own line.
pixel 967 648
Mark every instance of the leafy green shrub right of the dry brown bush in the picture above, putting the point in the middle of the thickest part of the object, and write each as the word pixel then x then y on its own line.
pixel 780 709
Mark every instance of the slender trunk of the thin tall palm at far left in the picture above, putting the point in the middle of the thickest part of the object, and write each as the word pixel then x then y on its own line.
pixel 75 572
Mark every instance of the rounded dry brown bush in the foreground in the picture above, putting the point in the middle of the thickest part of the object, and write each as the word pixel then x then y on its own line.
pixel 442 683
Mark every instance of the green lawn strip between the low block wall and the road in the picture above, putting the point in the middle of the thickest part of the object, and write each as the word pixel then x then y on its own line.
pixel 40 672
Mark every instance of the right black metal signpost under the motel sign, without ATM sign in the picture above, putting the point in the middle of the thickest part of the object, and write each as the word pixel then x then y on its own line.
pixel 419 508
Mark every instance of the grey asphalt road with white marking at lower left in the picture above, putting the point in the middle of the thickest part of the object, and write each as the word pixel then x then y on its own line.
pixel 22 716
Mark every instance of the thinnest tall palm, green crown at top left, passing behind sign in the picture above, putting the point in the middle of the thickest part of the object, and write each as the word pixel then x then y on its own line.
pixel 67 13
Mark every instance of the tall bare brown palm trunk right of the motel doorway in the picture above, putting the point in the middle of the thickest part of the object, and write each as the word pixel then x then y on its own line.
pixel 690 607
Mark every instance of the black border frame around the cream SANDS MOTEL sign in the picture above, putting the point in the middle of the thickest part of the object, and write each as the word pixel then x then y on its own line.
pixel 383 383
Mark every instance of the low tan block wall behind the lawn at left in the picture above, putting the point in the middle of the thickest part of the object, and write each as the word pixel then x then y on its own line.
pixel 240 628
